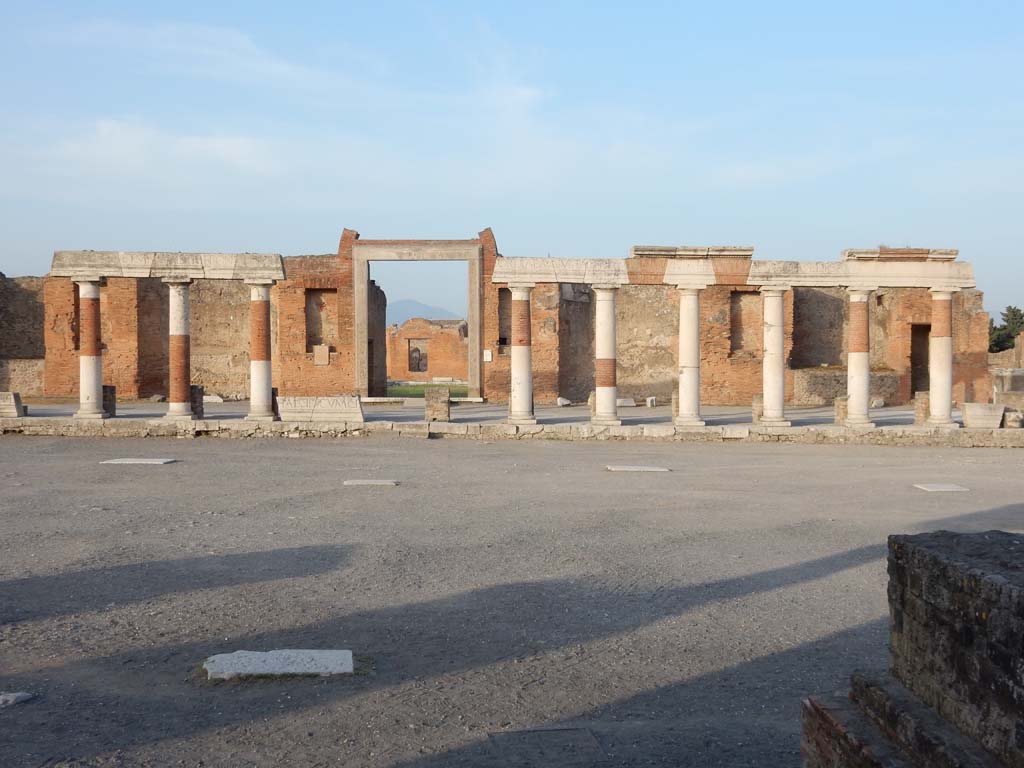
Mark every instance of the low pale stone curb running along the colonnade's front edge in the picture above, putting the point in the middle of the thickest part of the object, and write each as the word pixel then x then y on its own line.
pixel 239 429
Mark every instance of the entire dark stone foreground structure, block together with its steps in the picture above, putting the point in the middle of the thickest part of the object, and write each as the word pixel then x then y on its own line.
pixel 954 697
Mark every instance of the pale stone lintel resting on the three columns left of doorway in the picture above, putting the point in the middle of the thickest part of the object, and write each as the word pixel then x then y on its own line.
pixel 93 265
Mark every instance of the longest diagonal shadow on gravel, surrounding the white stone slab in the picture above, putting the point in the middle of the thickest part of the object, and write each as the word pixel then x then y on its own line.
pixel 143 696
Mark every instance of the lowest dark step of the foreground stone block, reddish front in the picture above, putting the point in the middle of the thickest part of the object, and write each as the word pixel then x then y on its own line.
pixel 837 735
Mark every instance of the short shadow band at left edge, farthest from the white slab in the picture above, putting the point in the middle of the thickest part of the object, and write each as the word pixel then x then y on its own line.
pixel 40 598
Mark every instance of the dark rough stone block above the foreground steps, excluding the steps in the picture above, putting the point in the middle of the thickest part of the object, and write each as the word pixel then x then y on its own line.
pixel 957 605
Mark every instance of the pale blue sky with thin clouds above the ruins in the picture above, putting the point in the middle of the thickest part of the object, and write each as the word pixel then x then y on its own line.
pixel 573 130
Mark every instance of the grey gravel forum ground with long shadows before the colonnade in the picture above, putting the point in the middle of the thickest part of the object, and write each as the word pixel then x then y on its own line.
pixel 509 604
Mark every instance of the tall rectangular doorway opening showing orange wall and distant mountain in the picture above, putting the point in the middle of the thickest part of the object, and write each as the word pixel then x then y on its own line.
pixel 425 329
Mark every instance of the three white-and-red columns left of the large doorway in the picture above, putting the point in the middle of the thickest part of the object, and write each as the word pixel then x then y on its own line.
pixel 179 345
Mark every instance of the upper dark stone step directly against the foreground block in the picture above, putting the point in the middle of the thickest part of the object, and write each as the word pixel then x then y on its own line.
pixel 917 730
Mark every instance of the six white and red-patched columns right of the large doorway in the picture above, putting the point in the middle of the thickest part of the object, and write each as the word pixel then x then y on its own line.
pixel 774 358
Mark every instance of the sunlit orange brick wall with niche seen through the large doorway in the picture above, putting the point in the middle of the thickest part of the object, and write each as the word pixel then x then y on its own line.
pixel 448 350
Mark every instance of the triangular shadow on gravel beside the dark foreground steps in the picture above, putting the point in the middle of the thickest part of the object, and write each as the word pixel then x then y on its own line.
pixel 747 714
